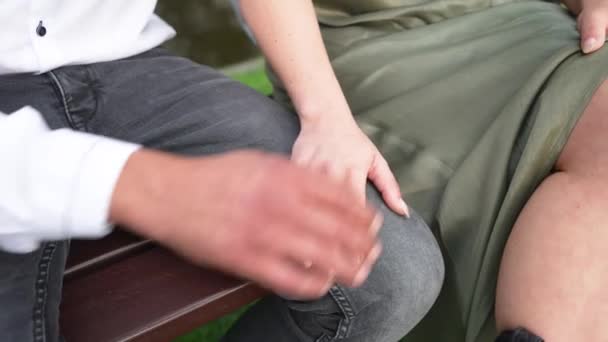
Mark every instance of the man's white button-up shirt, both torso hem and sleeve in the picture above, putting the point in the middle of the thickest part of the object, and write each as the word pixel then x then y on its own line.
pixel 58 184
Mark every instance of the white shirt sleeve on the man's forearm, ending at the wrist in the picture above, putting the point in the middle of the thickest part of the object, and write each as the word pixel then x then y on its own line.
pixel 54 184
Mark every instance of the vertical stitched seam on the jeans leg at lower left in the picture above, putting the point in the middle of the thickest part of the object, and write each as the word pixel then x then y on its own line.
pixel 40 288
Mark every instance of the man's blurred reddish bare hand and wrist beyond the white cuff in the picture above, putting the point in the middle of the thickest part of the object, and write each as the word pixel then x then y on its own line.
pixel 252 214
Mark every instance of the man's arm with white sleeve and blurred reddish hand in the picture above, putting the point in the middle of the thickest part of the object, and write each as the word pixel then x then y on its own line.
pixel 221 211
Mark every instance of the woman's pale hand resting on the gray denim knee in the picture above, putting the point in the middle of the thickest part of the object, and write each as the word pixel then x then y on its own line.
pixel 336 146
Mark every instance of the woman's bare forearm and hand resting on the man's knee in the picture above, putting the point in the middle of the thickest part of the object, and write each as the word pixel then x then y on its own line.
pixel 288 34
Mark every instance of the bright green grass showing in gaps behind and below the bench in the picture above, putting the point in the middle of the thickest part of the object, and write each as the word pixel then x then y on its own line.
pixel 213 331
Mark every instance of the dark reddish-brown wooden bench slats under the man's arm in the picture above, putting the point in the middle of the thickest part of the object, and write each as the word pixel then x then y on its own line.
pixel 122 288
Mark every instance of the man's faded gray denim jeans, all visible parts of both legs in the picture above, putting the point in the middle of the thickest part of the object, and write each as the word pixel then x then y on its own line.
pixel 172 104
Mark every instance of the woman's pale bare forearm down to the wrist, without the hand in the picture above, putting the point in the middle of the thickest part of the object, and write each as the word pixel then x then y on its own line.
pixel 289 36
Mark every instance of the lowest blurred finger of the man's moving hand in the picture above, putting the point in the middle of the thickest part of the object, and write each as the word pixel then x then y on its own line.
pixel 286 277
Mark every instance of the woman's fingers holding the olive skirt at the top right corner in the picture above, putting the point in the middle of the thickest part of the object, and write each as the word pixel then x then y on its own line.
pixel 592 22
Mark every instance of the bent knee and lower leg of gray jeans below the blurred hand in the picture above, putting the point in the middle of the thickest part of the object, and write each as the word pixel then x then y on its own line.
pixel 398 293
